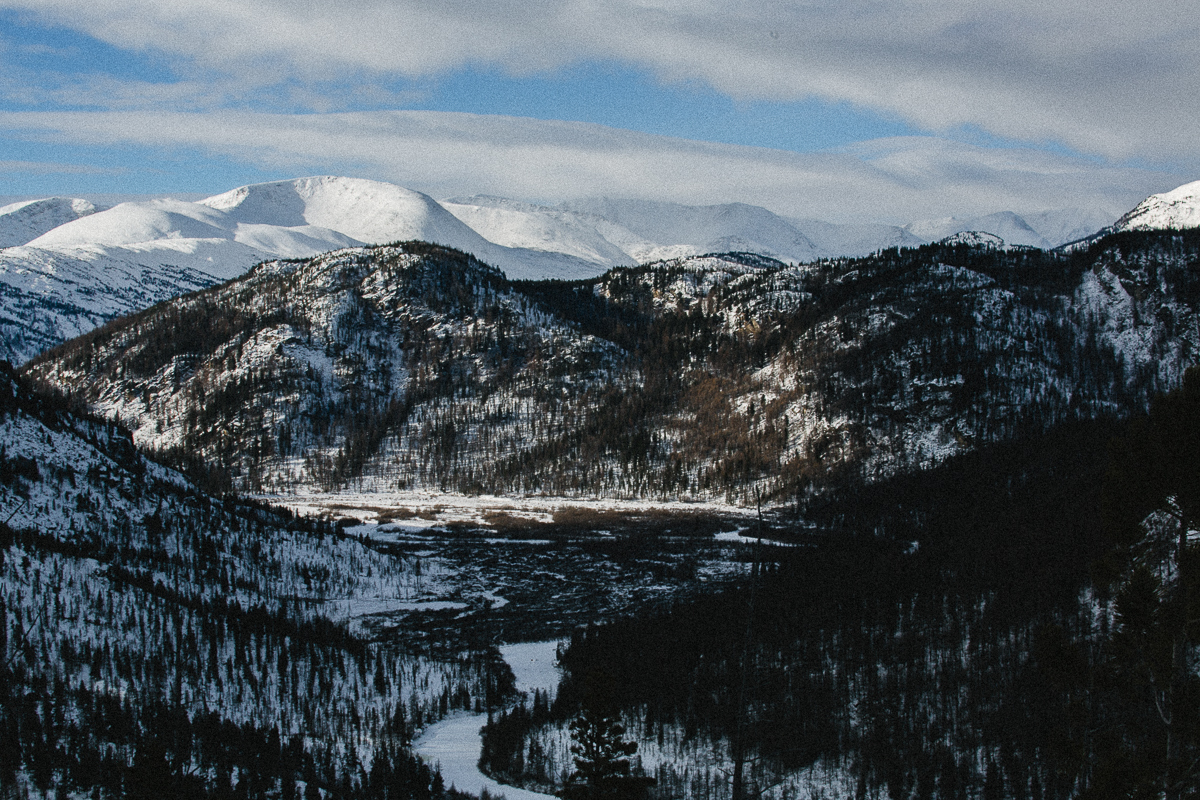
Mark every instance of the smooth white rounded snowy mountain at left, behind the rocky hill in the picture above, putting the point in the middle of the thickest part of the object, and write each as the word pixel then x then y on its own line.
pixel 92 267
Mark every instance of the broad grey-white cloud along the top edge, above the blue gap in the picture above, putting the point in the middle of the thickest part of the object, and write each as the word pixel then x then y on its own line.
pixel 1107 77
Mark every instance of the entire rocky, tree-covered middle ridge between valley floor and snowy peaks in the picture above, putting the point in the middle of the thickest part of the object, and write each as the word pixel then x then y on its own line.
pixel 722 377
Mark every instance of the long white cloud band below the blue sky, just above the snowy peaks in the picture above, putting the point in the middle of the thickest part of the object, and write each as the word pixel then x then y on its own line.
pixel 446 154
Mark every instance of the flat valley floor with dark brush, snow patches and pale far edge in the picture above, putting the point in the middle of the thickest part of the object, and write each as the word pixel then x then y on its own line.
pixel 520 569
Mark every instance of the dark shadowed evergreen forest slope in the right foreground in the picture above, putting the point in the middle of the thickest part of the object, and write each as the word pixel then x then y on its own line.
pixel 995 628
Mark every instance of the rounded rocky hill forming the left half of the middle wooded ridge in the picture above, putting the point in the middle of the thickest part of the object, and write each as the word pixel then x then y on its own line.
pixel 339 356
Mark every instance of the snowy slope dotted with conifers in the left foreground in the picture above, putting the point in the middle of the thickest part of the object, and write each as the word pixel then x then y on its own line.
pixel 159 642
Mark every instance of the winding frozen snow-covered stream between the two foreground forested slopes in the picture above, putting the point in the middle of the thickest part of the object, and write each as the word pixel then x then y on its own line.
pixel 454 744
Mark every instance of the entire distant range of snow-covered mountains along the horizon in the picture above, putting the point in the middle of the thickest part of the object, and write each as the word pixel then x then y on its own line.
pixel 68 267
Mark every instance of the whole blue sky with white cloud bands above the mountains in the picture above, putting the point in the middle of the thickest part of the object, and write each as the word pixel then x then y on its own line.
pixel 867 111
